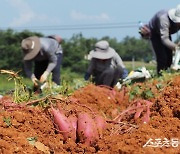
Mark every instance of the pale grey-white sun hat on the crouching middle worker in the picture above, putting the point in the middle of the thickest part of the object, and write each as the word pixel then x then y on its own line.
pixel 102 50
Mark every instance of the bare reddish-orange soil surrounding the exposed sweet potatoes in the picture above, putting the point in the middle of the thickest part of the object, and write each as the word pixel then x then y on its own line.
pixel 130 136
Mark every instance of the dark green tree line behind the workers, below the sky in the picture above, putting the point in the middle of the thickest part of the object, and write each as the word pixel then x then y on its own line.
pixel 75 49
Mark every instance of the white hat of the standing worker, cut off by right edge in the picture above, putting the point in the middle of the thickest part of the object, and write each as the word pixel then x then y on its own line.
pixel 174 14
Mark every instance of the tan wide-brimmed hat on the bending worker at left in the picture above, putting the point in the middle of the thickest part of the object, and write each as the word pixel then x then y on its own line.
pixel 31 47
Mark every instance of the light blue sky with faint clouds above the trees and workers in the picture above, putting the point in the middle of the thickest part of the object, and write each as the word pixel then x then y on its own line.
pixel 92 18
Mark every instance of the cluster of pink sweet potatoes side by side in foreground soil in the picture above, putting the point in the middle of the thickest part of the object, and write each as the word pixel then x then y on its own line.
pixel 83 127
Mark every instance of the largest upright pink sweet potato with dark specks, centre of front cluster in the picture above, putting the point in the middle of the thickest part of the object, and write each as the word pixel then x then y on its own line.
pixel 87 129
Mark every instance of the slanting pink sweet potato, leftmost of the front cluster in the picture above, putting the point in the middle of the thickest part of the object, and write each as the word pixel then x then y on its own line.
pixel 64 124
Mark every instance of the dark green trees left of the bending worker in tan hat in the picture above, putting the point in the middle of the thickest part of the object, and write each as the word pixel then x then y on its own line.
pixel 10 48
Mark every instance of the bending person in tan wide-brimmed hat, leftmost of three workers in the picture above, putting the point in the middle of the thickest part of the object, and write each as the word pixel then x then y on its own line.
pixel 46 55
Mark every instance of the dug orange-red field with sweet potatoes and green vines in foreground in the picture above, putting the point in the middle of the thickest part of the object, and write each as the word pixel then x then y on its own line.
pixel 142 117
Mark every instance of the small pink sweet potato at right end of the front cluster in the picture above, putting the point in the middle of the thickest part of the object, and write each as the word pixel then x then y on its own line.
pixel 101 124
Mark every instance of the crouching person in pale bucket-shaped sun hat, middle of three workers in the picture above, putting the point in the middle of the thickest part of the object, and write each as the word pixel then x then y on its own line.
pixel 106 66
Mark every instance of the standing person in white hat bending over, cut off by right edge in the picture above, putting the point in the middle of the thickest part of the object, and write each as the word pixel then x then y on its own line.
pixel 162 25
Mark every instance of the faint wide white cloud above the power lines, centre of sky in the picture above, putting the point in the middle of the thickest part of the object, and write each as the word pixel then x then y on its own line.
pixel 80 16
